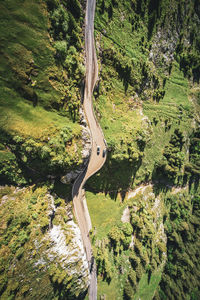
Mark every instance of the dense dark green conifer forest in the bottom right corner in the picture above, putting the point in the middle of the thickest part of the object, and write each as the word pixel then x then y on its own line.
pixel 180 277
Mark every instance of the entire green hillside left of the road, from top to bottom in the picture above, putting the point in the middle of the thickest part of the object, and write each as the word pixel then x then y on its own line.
pixel 41 76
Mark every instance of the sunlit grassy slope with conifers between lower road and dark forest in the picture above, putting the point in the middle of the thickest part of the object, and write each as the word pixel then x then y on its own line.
pixel 124 251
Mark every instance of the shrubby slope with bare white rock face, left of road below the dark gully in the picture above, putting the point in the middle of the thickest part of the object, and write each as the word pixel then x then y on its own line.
pixel 42 244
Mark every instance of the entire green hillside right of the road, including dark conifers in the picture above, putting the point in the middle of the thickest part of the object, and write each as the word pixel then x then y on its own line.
pixel 147 103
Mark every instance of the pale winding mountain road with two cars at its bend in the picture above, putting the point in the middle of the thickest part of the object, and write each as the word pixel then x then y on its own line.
pixel 96 160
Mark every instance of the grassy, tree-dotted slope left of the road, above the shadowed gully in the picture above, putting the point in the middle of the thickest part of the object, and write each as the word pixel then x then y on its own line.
pixel 39 98
